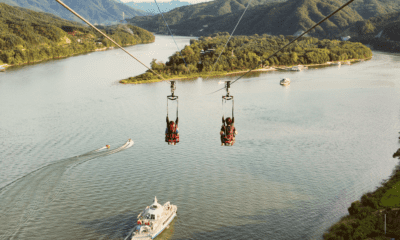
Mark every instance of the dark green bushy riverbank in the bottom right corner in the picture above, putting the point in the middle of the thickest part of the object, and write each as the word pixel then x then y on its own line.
pixel 366 219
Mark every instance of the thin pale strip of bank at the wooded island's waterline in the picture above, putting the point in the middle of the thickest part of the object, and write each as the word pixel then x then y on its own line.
pixel 137 80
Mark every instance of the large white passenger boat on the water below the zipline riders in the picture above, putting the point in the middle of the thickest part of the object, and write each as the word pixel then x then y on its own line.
pixel 153 220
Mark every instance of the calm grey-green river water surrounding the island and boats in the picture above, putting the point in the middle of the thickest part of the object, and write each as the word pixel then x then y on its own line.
pixel 302 155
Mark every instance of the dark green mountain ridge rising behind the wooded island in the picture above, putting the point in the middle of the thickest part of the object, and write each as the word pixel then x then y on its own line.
pixel 272 17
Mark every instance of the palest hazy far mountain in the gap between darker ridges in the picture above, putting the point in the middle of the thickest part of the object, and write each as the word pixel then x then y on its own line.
pixel 151 7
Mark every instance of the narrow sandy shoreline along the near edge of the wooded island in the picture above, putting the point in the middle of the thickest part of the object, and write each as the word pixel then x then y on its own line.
pixel 222 74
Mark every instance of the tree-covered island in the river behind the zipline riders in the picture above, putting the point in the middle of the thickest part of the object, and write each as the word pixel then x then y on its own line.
pixel 246 52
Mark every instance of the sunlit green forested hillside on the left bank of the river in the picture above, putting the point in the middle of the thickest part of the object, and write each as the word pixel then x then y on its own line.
pixel 27 36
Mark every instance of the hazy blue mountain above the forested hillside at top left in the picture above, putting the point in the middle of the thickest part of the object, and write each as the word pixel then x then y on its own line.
pixel 95 11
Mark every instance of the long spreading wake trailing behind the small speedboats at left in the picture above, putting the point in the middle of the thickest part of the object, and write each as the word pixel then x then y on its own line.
pixel 24 198
